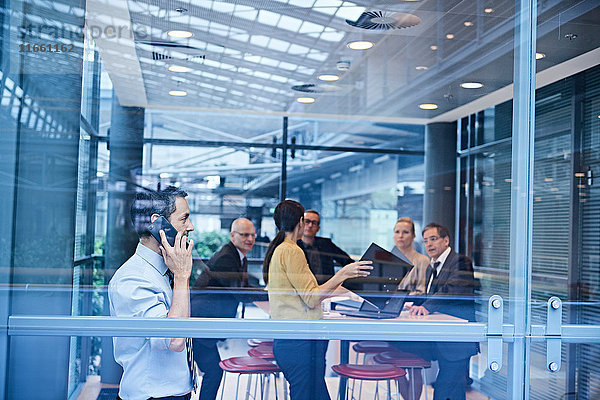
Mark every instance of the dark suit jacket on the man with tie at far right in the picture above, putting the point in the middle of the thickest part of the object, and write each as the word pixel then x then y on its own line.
pixel 452 292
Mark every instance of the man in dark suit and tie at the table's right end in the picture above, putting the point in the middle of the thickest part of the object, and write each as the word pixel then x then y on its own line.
pixel 449 290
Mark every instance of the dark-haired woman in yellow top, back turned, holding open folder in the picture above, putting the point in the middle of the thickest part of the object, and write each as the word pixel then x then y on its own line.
pixel 295 294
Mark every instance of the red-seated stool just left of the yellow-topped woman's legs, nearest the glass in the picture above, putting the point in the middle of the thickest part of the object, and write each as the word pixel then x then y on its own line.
pixel 249 366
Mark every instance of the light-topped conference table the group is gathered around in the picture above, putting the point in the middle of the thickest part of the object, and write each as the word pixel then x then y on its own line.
pixel 344 294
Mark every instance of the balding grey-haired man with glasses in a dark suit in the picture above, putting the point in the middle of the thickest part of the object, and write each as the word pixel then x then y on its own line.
pixel 228 269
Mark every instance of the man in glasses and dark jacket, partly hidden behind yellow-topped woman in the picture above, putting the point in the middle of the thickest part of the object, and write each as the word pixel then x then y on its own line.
pixel 321 253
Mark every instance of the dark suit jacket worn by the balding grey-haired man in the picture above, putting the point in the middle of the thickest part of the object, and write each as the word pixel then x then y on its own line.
pixel 225 272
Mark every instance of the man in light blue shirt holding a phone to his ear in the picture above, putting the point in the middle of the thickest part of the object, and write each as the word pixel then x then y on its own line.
pixel 154 283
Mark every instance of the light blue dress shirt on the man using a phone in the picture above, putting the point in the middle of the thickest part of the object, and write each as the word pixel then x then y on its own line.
pixel 141 288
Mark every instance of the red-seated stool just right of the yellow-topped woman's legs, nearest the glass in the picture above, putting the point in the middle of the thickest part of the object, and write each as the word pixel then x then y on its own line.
pixel 370 373
